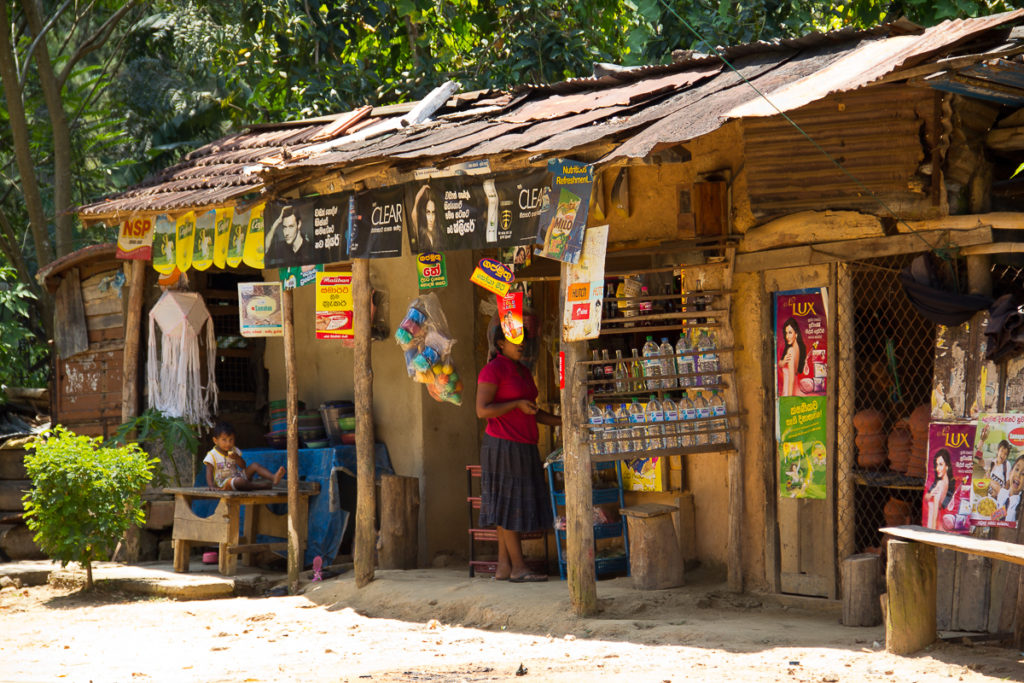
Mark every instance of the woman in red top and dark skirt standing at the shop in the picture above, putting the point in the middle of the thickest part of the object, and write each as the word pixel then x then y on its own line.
pixel 514 494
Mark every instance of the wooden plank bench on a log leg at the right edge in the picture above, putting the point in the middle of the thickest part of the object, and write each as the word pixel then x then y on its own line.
pixel 911 581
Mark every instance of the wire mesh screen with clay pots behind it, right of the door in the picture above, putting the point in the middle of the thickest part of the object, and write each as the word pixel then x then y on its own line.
pixel 892 349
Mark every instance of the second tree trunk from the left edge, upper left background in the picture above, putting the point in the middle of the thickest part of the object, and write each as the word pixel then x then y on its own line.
pixel 63 216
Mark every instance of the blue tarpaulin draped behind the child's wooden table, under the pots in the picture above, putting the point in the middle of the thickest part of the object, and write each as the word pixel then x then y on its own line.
pixel 328 519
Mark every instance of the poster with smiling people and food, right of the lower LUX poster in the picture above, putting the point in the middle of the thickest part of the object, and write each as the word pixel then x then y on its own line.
pixel 999 471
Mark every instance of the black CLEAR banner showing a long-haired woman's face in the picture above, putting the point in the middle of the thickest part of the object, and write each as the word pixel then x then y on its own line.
pixel 464 212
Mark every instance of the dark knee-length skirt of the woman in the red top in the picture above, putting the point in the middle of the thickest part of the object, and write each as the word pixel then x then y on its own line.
pixel 514 492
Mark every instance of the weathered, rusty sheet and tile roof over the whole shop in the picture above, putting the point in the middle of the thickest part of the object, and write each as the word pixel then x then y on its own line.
pixel 637 111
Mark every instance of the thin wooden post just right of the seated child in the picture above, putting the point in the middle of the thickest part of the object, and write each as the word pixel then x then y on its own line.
pixel 292 402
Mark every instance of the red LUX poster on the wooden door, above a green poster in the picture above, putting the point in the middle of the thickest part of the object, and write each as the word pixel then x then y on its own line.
pixel 801 344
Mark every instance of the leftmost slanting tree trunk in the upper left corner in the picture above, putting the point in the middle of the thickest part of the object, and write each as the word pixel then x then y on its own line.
pixel 23 152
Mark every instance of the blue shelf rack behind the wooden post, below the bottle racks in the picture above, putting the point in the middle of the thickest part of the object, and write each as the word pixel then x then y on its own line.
pixel 619 564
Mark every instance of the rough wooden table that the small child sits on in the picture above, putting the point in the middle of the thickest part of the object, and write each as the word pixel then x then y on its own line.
pixel 223 527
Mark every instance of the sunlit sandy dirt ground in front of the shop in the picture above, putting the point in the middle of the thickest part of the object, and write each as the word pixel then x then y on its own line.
pixel 440 626
